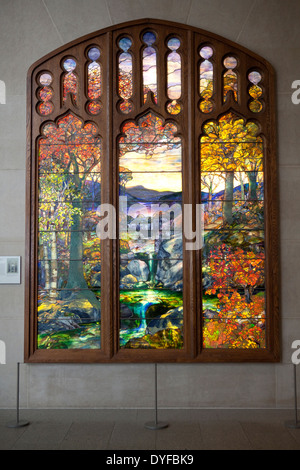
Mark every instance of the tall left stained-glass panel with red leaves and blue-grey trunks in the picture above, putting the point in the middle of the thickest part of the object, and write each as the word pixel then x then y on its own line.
pixel 69 275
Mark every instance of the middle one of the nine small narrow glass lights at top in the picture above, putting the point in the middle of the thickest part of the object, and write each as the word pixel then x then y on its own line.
pixel 149 66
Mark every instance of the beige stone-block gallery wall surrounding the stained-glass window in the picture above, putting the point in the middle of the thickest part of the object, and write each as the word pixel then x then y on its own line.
pixel 30 29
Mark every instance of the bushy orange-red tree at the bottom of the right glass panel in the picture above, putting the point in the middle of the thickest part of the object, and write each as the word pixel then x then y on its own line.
pixel 236 275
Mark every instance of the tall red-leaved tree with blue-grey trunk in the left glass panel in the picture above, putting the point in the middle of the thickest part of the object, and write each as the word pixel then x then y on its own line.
pixel 72 149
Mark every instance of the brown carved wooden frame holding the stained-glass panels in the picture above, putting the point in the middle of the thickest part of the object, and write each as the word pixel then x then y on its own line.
pixel 190 122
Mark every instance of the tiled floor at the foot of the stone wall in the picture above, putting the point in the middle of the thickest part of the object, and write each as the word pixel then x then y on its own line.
pixel 125 429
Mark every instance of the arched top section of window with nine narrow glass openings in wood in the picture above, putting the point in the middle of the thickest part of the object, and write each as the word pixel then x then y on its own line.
pixel 225 72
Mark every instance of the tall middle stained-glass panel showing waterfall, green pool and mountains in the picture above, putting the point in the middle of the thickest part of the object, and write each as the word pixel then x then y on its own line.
pixel 150 233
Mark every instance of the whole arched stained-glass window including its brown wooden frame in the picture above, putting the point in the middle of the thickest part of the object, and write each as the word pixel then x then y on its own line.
pixel 165 116
